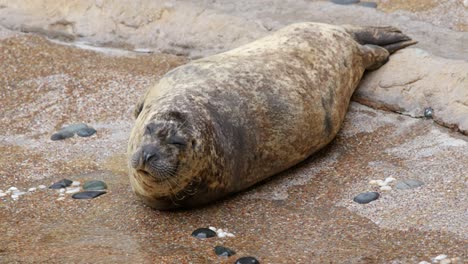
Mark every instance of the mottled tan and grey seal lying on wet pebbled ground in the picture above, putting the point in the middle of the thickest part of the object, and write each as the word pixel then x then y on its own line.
pixel 220 124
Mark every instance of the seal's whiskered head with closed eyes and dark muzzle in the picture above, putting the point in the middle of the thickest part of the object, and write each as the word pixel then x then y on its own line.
pixel 164 159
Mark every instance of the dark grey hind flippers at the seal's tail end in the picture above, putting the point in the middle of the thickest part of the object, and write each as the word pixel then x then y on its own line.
pixel 389 38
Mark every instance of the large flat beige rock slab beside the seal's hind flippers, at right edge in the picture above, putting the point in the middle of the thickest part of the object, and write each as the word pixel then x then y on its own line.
pixel 412 80
